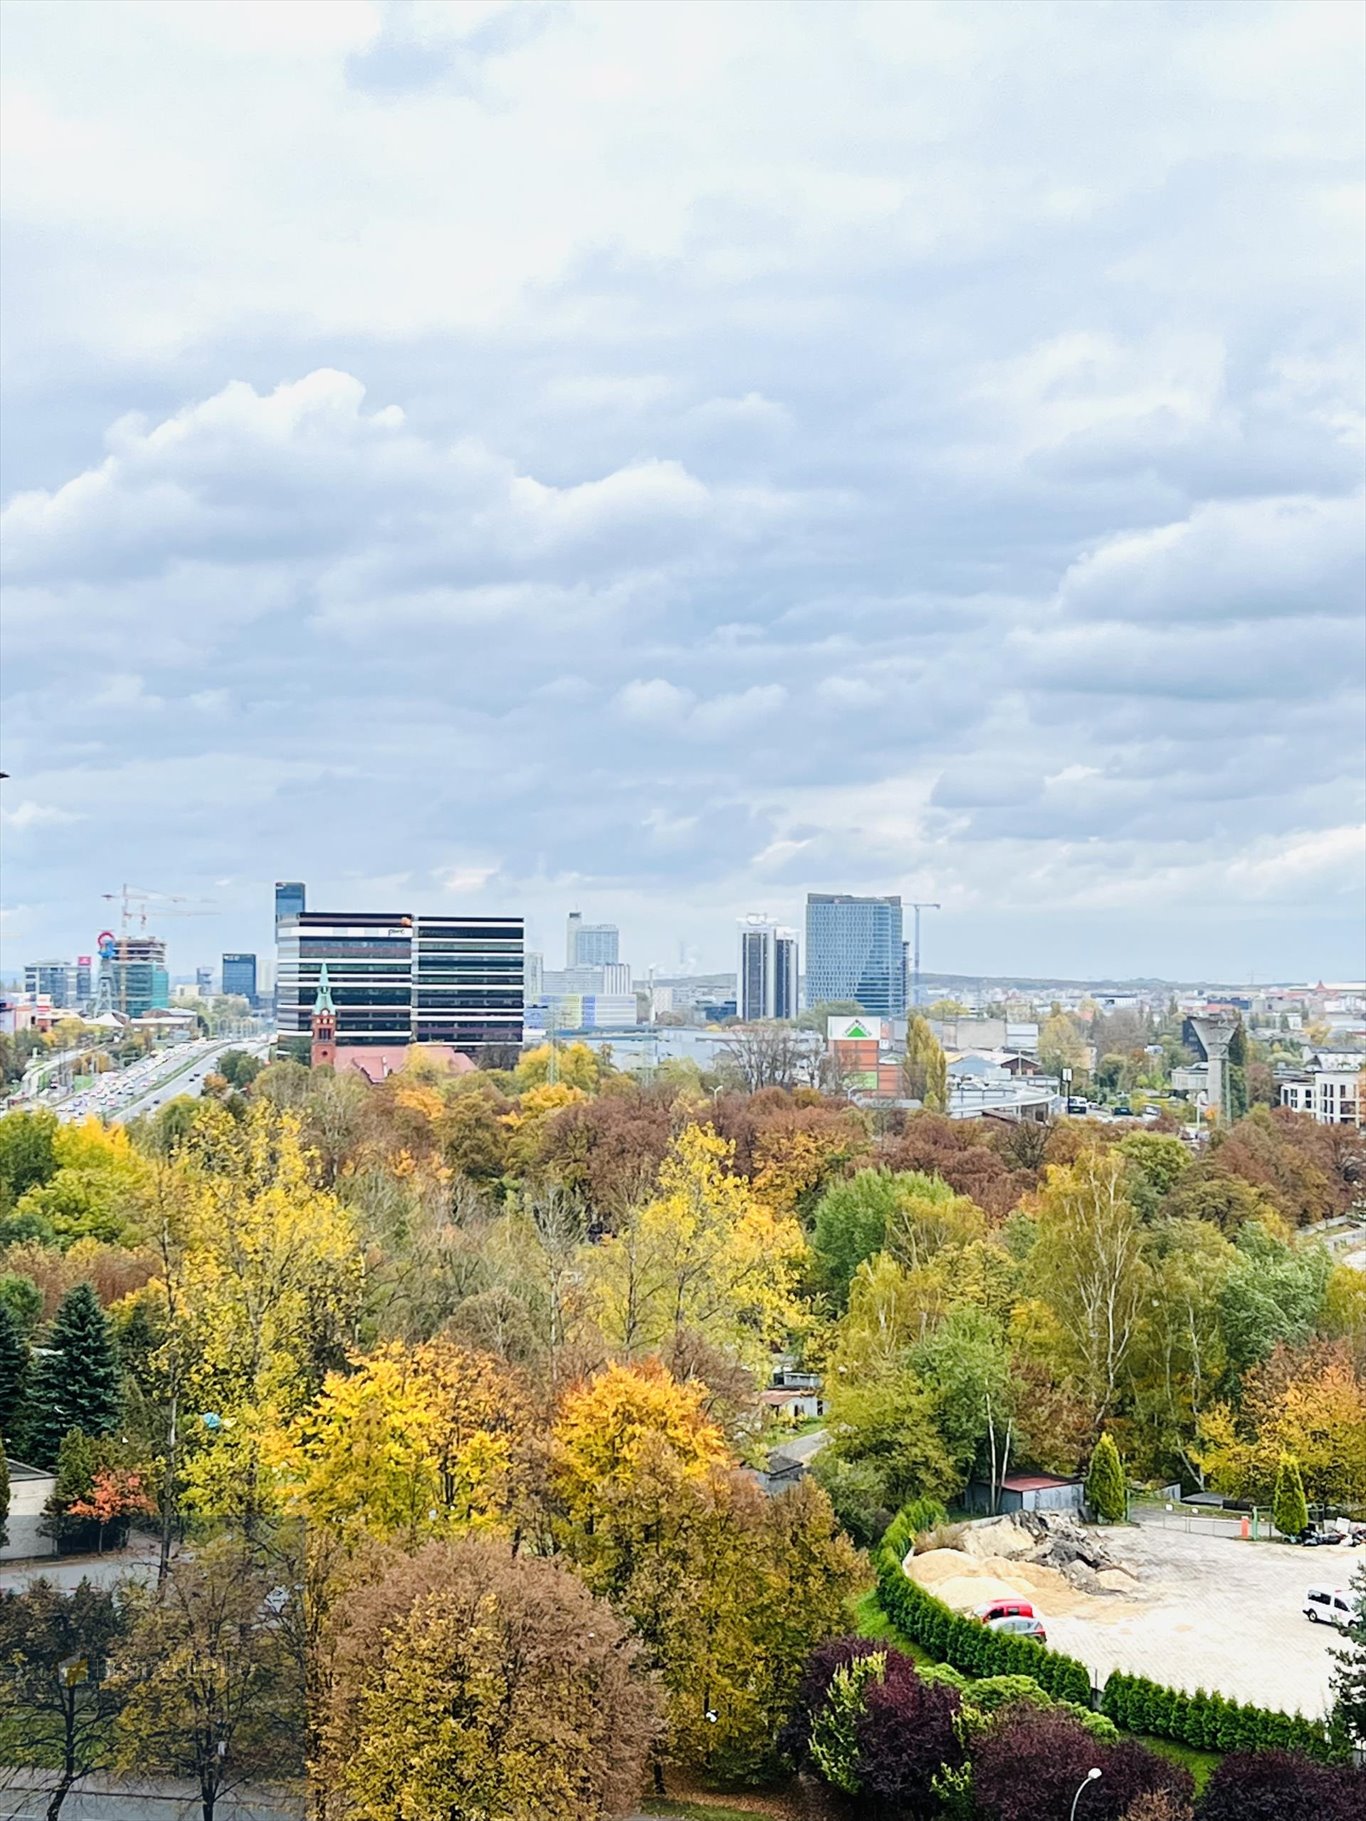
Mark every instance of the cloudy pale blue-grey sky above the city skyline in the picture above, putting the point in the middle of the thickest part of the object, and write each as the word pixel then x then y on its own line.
pixel 664 460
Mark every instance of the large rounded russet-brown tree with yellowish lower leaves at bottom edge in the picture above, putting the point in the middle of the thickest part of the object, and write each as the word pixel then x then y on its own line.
pixel 476 1684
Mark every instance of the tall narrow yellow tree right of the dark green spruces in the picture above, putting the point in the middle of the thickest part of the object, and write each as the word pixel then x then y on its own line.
pixel 270 1294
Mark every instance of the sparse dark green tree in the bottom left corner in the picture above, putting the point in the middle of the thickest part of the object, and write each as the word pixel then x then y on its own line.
pixel 56 1647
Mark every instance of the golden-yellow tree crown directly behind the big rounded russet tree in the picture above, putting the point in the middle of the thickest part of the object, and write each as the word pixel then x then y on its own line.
pixel 411 1443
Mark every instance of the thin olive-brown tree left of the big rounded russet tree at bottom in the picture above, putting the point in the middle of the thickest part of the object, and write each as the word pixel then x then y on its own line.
pixel 205 1682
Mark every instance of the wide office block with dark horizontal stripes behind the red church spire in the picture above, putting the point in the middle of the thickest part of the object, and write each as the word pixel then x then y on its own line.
pixel 398 979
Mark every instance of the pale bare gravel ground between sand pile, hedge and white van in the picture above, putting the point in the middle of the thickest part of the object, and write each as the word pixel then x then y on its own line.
pixel 1218 1614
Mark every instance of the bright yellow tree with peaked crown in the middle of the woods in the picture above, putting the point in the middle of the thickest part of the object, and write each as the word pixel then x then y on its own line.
pixel 704 1257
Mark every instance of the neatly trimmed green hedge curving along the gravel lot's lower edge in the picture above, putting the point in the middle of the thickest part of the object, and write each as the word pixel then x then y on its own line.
pixel 1210 1724
